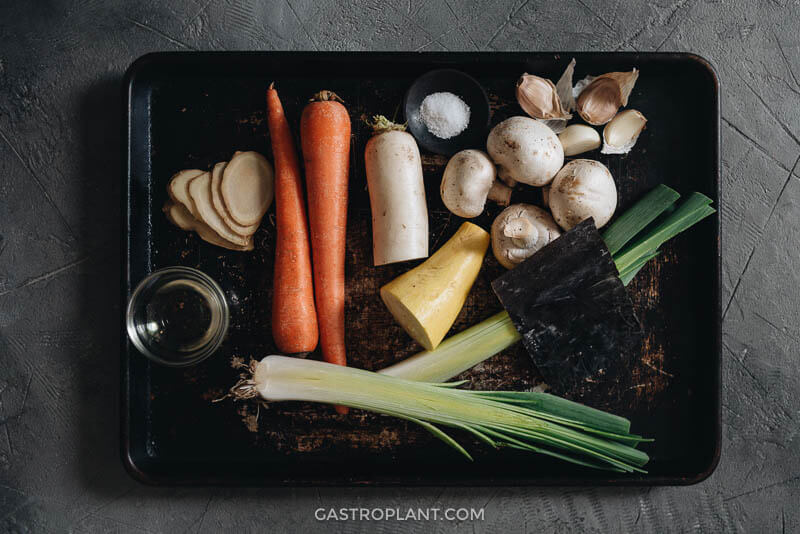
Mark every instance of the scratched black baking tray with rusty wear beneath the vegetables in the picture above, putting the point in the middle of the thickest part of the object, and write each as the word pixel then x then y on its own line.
pixel 192 110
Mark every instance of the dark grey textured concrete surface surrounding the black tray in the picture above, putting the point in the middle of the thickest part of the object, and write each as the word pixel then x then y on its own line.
pixel 60 67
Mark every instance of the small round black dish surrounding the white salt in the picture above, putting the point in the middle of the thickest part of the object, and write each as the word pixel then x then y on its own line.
pixel 462 85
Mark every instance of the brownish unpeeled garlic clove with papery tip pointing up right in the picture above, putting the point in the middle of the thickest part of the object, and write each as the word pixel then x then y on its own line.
pixel 599 101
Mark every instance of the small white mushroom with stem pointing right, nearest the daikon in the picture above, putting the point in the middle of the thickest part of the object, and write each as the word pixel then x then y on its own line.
pixel 469 179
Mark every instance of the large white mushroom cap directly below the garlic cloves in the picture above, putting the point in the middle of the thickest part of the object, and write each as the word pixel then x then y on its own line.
pixel 525 150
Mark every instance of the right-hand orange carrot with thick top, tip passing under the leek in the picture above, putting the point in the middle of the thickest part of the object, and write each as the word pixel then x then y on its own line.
pixel 325 140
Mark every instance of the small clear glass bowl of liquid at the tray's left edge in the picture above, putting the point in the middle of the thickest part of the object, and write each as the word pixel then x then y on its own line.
pixel 177 316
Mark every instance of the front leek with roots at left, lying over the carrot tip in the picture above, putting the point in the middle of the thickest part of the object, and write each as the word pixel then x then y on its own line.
pixel 525 421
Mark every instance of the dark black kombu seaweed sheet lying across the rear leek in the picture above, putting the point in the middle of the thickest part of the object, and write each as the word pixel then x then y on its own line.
pixel 574 314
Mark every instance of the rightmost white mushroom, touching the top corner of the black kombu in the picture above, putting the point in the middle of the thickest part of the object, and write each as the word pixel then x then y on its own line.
pixel 583 188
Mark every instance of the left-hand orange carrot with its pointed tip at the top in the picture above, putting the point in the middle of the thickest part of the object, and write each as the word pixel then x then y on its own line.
pixel 294 317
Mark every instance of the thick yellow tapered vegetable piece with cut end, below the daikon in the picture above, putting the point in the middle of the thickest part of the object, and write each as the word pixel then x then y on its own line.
pixel 427 299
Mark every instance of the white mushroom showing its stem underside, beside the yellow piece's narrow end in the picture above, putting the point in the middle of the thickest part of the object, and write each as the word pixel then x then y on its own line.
pixel 519 231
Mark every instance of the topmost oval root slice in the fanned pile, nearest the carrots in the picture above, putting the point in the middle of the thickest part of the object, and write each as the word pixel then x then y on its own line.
pixel 247 187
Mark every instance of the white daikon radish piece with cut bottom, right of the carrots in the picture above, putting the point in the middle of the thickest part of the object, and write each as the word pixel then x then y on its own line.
pixel 396 194
